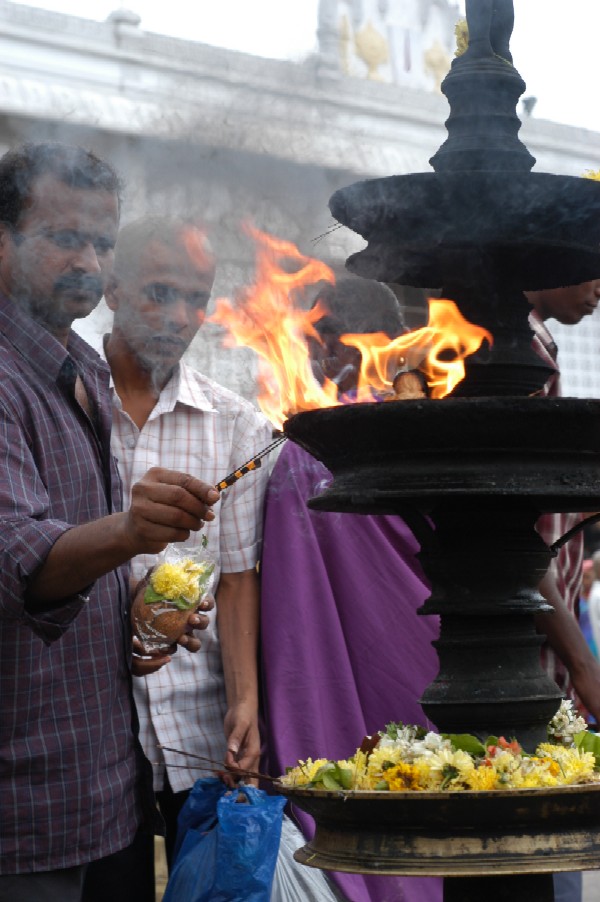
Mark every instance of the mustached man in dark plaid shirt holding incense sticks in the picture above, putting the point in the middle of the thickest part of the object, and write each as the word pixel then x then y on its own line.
pixel 73 779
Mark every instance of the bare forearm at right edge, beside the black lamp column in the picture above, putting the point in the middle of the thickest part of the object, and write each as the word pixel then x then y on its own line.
pixel 567 640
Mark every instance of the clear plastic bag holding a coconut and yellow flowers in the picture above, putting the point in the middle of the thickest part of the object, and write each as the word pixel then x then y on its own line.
pixel 174 588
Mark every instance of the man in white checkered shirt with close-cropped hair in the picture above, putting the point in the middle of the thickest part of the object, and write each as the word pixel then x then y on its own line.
pixel 167 414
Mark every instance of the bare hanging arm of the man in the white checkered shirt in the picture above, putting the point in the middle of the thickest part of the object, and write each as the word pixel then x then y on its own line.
pixel 238 624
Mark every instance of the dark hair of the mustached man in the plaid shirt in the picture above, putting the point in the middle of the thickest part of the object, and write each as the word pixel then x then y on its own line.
pixel 76 167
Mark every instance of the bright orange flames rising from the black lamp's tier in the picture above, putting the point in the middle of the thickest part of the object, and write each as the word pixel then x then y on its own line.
pixel 268 318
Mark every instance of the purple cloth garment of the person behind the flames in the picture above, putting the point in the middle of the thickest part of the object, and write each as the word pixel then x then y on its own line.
pixel 343 649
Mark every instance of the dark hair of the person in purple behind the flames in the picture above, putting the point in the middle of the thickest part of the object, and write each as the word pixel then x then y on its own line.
pixel 360 305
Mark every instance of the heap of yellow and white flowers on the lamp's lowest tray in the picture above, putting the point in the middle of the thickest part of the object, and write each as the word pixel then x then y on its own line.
pixel 406 758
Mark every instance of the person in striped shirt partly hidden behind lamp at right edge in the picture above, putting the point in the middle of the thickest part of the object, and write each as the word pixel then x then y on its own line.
pixel 567 656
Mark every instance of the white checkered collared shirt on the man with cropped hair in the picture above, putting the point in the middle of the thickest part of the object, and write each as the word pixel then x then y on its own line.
pixel 196 427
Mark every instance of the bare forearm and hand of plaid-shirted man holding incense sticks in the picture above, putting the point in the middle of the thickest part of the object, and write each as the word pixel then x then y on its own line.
pixel 165 507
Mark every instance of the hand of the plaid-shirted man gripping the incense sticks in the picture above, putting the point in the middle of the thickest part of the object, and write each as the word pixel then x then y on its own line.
pixel 166 506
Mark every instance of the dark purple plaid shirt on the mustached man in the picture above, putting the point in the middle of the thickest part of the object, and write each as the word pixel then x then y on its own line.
pixel 68 768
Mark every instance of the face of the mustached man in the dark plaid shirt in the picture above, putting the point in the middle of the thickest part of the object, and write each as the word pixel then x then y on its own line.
pixel 56 262
